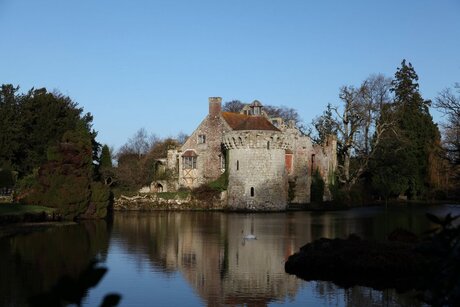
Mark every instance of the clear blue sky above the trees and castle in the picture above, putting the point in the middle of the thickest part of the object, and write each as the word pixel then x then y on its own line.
pixel 153 63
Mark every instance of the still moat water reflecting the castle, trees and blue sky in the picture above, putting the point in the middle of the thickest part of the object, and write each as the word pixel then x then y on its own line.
pixel 201 258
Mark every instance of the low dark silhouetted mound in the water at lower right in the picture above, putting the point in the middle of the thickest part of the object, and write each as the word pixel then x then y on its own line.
pixel 352 261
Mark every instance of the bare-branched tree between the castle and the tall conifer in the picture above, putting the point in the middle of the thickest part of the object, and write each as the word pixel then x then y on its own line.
pixel 359 124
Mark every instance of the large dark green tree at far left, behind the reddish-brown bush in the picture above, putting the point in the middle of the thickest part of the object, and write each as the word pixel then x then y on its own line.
pixel 33 122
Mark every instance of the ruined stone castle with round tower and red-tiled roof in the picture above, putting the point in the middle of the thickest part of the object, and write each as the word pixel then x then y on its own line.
pixel 269 163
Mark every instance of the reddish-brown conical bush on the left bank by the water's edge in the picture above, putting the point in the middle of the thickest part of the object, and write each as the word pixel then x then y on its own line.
pixel 65 181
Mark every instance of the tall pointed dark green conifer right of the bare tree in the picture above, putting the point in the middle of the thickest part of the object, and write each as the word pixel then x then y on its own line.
pixel 415 138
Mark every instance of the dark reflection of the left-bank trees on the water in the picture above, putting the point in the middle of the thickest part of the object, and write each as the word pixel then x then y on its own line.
pixel 31 264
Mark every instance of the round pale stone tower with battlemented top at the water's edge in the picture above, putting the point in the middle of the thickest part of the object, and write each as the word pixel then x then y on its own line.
pixel 256 168
